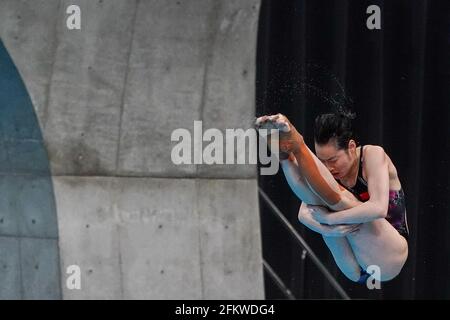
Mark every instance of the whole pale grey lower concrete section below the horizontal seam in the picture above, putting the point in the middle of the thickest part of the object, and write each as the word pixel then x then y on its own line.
pixel 150 238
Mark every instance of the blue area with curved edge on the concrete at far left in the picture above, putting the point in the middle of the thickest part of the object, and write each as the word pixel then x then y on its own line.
pixel 29 254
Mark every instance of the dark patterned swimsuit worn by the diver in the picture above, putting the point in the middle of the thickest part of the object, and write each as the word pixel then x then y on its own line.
pixel 396 214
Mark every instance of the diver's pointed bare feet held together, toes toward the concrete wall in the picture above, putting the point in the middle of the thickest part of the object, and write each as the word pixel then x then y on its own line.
pixel 289 138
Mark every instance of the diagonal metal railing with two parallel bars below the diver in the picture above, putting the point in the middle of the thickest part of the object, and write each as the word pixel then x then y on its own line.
pixel 304 245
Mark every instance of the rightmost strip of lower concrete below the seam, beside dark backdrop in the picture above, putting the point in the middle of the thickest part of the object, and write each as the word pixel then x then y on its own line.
pixel 230 239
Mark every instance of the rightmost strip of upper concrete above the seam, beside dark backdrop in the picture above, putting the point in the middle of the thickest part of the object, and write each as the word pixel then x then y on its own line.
pixel 229 92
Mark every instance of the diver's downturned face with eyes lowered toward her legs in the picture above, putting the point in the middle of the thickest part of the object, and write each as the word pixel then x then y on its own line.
pixel 338 161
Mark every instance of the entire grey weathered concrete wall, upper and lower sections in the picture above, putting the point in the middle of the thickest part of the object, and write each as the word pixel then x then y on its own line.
pixel 107 98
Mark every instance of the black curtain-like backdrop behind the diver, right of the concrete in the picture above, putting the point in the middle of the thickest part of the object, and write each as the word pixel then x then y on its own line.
pixel 315 55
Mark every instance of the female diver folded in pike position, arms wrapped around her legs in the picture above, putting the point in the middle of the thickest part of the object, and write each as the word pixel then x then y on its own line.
pixel 350 194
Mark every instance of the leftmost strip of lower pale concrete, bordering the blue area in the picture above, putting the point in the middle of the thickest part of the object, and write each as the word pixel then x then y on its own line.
pixel 88 236
